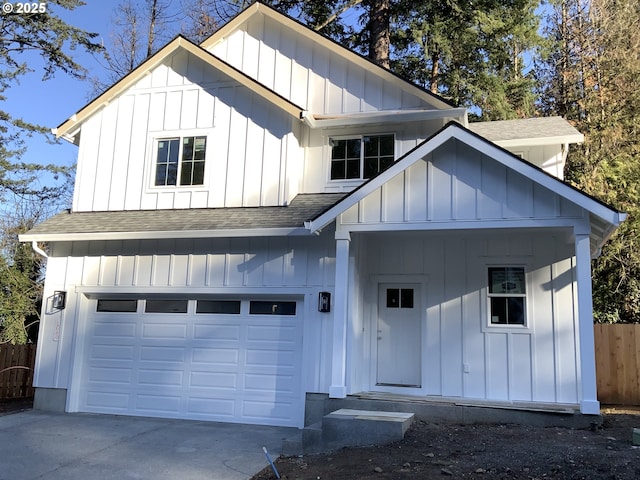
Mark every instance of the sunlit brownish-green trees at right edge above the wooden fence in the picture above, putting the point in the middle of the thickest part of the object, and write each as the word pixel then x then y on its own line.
pixel 592 75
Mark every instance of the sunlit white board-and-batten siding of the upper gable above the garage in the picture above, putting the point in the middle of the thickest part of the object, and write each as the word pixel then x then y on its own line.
pixel 252 155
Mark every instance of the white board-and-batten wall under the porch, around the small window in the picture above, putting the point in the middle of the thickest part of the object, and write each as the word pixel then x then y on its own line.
pixel 463 356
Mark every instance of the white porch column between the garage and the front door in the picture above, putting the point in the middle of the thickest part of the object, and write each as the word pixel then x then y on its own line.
pixel 338 387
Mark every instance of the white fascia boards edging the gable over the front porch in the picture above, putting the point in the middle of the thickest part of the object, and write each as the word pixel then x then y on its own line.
pixel 604 219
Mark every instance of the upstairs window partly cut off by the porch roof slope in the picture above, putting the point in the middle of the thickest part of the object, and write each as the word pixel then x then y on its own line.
pixel 362 157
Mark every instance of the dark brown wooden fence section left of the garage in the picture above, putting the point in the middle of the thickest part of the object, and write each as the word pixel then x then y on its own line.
pixel 16 370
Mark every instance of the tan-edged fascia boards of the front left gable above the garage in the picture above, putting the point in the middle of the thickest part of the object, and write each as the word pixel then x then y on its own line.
pixel 69 128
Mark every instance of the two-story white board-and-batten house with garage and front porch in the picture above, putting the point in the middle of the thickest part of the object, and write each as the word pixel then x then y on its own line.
pixel 269 215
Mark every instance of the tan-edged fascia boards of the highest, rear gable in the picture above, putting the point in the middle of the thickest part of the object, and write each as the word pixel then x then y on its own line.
pixel 334 47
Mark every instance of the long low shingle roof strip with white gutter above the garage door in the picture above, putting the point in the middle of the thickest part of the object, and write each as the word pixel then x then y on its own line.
pixel 186 223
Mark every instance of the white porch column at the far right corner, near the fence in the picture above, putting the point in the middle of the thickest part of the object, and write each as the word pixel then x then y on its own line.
pixel 589 403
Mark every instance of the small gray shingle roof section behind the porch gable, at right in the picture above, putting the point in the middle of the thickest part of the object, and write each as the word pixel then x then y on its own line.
pixel 528 128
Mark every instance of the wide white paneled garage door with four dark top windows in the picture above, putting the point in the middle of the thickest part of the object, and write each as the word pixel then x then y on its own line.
pixel 219 360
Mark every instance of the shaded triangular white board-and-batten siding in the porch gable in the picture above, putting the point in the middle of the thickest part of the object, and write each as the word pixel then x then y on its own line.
pixel 455 183
